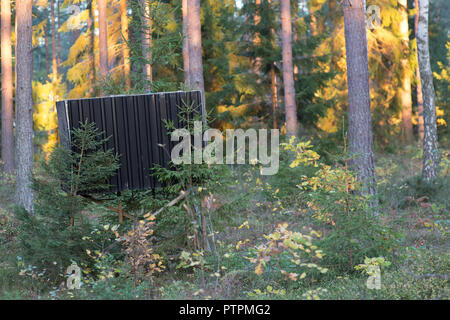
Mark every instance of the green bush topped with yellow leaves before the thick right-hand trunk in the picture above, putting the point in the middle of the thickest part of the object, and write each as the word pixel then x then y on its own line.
pixel 351 228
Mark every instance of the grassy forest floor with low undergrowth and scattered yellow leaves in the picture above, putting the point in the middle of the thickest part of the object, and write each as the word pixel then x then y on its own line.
pixel 240 222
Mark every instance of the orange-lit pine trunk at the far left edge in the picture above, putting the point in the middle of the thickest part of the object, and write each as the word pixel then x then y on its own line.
pixel 7 89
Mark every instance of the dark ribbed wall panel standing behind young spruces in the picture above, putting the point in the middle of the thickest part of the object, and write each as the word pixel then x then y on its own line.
pixel 136 127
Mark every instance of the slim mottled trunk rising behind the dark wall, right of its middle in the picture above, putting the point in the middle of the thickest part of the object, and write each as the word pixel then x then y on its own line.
pixel 147 41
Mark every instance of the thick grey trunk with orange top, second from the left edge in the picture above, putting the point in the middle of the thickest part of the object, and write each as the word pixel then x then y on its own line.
pixel 24 105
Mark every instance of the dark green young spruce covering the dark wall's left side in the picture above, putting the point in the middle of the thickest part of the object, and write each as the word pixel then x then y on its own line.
pixel 51 237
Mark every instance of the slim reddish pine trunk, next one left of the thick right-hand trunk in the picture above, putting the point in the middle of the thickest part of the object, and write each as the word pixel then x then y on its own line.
pixel 288 71
